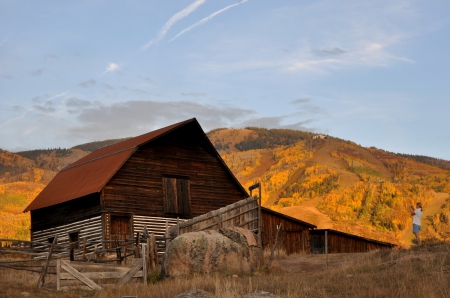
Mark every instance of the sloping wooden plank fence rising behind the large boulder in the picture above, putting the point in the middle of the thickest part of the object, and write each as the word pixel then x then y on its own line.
pixel 245 213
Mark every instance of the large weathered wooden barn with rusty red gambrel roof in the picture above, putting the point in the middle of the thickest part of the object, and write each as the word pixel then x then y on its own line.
pixel 173 172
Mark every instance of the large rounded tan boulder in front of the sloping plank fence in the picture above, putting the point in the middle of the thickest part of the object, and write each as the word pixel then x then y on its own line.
pixel 230 251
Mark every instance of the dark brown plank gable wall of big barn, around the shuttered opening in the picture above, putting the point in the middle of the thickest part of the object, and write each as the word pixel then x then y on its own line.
pixel 137 187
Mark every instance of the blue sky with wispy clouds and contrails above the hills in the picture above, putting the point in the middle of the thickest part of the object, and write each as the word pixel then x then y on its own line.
pixel 373 72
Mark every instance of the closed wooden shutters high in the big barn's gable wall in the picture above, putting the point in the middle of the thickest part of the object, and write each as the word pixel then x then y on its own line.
pixel 176 195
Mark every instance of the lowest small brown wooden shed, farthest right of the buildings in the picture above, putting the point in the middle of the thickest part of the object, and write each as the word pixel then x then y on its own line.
pixel 340 242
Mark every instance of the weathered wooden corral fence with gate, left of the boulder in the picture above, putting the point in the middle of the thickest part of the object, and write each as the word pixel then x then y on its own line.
pixel 75 267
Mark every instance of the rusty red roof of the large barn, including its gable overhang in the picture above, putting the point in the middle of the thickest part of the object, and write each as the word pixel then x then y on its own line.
pixel 91 173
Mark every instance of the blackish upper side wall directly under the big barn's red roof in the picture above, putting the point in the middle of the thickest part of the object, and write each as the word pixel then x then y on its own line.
pixel 65 213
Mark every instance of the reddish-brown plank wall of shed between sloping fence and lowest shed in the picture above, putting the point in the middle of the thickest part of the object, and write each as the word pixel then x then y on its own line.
pixel 293 237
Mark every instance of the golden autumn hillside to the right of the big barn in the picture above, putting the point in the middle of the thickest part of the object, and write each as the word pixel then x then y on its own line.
pixel 338 184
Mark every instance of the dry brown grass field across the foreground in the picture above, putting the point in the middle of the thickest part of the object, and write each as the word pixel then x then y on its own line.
pixel 416 272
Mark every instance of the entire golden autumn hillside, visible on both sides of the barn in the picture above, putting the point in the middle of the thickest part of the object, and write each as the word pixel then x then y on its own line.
pixel 329 182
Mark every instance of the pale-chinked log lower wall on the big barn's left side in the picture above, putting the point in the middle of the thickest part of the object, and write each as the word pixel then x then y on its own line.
pixel 91 229
